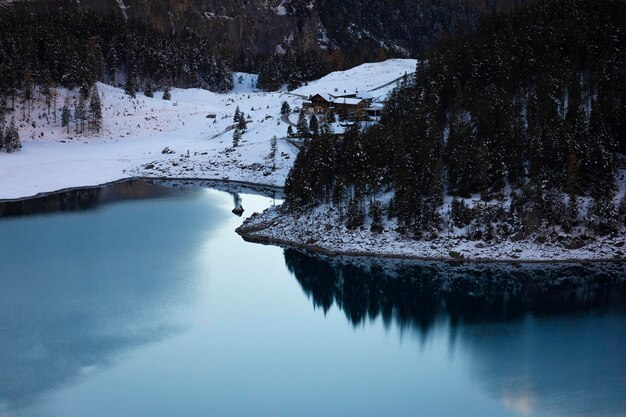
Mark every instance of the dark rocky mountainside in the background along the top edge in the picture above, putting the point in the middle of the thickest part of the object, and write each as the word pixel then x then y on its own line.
pixel 351 31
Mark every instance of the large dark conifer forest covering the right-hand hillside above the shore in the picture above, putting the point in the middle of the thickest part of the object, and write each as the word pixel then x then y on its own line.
pixel 529 109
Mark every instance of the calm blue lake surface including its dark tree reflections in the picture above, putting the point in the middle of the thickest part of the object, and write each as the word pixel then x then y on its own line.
pixel 155 307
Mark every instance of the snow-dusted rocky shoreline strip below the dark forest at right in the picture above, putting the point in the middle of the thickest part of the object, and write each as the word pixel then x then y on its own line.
pixel 322 231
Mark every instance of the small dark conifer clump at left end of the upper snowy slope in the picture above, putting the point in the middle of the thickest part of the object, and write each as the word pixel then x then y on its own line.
pixel 291 68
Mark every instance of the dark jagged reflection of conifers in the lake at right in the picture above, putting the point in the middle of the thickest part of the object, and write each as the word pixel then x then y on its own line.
pixel 417 294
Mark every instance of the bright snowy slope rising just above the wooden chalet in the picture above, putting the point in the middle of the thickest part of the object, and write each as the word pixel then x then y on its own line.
pixel 376 79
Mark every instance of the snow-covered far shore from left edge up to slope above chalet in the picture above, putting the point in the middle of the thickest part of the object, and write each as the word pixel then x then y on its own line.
pixel 136 131
